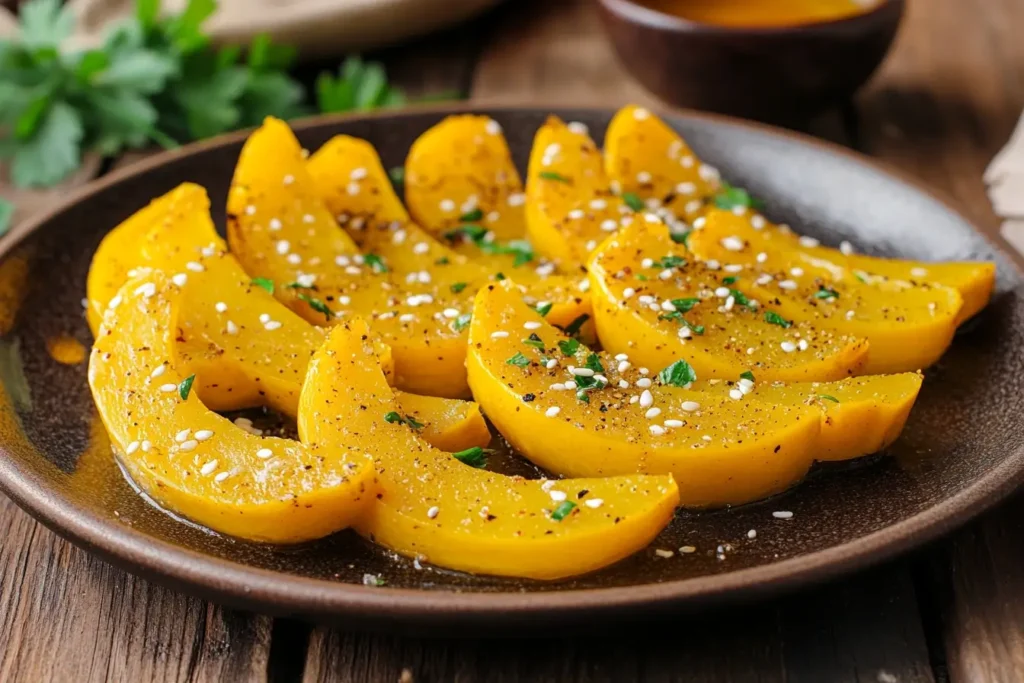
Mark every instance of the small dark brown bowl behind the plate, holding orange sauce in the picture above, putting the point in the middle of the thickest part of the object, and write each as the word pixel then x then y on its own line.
pixel 772 74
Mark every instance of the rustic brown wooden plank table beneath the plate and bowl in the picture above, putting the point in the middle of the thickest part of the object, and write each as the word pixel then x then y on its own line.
pixel 945 103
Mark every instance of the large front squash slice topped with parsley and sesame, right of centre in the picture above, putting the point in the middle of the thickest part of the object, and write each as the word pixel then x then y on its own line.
pixel 584 414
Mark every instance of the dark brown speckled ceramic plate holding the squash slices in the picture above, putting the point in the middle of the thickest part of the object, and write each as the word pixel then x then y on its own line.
pixel 963 449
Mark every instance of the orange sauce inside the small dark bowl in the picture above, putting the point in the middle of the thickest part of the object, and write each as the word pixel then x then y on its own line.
pixel 762 14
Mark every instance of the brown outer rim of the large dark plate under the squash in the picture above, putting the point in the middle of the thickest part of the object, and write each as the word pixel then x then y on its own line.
pixel 229 582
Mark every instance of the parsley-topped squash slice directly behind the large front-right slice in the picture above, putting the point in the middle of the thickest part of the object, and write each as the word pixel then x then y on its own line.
pixel 655 303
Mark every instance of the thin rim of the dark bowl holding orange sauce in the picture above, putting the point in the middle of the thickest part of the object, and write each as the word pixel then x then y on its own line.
pixel 633 13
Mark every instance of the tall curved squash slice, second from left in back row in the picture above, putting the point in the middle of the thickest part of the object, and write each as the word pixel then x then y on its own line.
pixel 280 230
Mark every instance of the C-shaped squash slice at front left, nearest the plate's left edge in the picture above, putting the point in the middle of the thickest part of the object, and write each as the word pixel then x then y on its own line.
pixel 197 463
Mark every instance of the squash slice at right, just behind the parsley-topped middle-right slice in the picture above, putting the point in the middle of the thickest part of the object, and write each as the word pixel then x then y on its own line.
pixel 909 326
